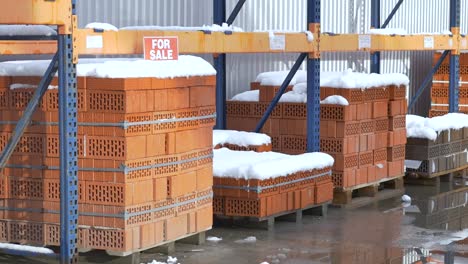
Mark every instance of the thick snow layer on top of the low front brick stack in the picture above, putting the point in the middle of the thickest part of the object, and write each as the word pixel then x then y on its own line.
pixel 266 165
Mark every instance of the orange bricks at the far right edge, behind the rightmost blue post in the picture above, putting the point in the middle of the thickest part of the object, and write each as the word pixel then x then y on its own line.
pixel 440 86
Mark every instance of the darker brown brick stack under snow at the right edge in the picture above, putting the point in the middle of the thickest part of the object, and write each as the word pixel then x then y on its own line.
pixel 446 153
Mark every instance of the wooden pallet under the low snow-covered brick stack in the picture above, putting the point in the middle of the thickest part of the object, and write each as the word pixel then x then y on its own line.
pixel 268 222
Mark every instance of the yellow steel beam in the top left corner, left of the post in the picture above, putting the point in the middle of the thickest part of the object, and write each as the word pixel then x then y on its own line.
pixel 36 12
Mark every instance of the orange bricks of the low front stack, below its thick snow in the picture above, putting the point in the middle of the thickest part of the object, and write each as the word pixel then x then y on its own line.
pixel 246 197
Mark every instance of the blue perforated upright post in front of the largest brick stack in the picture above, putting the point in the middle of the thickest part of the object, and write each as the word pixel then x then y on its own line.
pixel 68 149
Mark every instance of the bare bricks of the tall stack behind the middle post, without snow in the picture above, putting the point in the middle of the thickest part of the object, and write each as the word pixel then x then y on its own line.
pixel 366 138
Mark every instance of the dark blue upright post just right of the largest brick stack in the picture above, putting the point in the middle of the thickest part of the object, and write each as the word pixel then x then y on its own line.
pixel 219 17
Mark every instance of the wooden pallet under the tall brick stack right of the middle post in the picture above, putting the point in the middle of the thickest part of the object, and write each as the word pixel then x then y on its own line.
pixel 365 194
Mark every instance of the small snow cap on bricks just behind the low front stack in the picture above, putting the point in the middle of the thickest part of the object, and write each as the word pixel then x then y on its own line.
pixel 239 138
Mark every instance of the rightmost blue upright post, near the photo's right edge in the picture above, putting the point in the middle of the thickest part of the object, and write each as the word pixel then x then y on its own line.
pixel 454 86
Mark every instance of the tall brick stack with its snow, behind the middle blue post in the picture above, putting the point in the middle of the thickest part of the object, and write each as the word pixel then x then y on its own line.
pixel 362 116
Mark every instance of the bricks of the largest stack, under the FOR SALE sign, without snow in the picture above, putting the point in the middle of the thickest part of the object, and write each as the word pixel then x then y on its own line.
pixel 142 184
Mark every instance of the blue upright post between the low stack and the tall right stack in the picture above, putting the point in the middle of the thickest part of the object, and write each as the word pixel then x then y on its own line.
pixel 313 81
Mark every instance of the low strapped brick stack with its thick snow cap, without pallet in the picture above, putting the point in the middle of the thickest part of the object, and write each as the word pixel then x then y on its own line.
pixel 265 184
